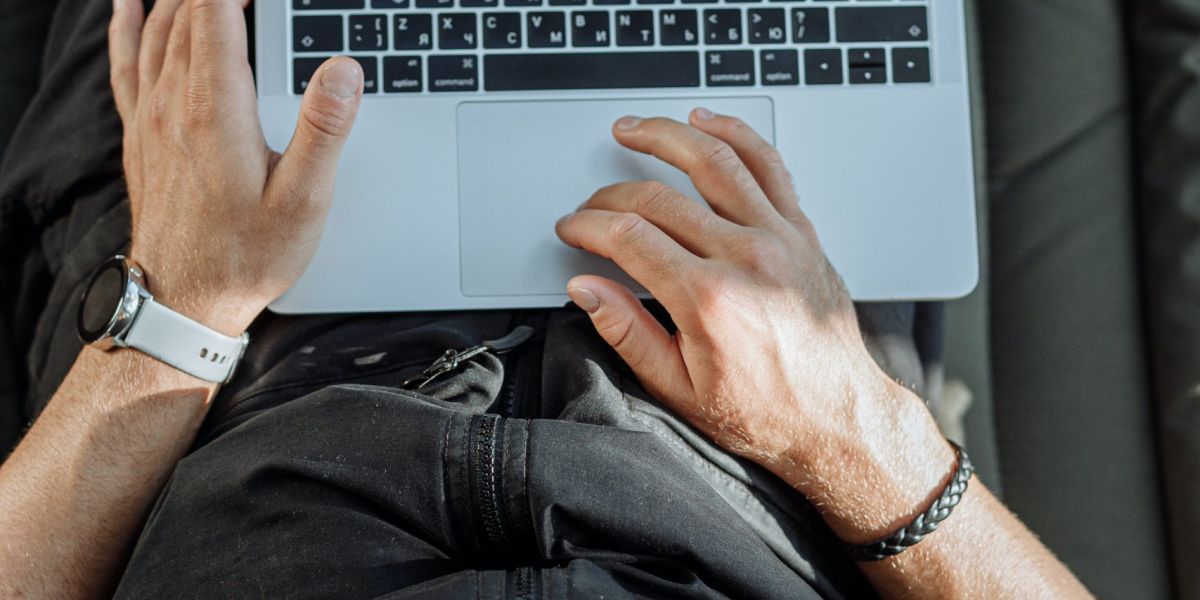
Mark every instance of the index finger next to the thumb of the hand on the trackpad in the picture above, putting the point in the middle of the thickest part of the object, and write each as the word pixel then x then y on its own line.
pixel 639 248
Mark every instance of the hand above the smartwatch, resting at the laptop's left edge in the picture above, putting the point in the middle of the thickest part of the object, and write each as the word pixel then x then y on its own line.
pixel 221 224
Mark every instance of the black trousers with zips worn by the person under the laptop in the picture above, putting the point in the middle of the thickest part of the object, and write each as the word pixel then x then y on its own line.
pixel 547 472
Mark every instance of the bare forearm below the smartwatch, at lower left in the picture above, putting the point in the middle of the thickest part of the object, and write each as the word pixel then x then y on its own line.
pixel 77 488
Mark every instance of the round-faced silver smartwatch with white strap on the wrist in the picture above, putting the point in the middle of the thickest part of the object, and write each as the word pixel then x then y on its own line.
pixel 117 311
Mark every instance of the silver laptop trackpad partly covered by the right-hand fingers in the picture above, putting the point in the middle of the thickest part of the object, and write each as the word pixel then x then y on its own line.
pixel 525 165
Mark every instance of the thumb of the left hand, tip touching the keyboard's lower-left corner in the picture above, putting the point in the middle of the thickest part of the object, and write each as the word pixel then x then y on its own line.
pixel 309 166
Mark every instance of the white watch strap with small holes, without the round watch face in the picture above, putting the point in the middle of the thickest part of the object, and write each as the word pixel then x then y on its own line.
pixel 184 344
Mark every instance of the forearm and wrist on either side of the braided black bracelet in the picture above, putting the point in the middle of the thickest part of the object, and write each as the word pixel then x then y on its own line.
pixel 868 490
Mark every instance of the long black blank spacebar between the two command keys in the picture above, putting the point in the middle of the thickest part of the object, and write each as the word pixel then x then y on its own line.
pixel 596 71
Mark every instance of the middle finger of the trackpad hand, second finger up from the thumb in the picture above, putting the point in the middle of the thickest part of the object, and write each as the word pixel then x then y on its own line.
pixel 693 226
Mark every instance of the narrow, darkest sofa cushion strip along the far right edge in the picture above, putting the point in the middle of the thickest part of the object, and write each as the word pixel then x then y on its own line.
pixel 1167 38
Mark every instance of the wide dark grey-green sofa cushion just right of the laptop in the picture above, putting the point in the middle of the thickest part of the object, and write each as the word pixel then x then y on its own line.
pixel 1072 407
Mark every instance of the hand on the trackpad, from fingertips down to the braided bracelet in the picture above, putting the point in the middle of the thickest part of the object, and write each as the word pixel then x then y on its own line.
pixel 769 359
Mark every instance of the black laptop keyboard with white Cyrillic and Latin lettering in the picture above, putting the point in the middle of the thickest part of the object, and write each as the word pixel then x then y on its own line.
pixel 493 46
